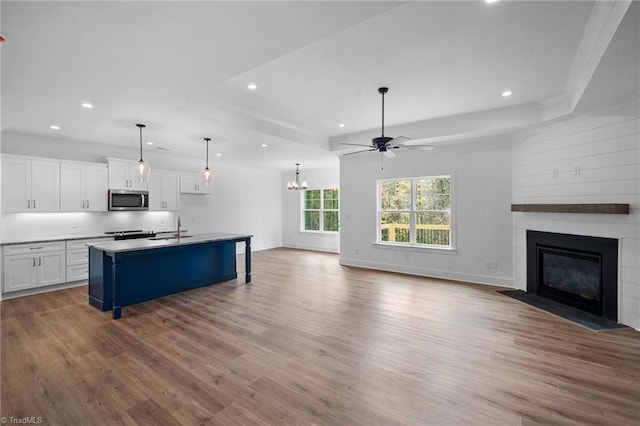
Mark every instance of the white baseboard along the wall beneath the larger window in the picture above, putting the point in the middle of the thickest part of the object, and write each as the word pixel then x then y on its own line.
pixel 431 273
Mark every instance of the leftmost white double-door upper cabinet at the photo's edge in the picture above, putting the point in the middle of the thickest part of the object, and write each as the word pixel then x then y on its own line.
pixel 30 185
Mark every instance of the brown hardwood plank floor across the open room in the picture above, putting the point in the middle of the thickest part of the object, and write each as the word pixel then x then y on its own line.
pixel 311 342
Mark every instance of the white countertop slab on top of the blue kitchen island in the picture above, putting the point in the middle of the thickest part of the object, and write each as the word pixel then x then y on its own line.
pixel 160 242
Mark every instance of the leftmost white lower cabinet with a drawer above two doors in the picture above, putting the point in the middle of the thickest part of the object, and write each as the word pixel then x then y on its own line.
pixel 33 265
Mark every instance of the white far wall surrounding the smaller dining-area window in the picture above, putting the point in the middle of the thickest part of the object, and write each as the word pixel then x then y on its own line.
pixel 320 178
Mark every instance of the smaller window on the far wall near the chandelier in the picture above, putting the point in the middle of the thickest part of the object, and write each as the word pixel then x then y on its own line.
pixel 320 210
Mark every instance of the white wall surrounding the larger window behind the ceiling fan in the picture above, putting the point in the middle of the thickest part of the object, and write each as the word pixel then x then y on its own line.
pixel 482 173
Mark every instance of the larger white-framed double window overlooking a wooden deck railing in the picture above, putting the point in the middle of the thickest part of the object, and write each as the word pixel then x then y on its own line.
pixel 415 211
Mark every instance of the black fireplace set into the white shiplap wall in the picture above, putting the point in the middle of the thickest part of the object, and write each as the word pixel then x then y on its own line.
pixel 574 270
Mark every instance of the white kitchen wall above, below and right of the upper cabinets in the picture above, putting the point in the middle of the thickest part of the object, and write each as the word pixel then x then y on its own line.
pixel 242 200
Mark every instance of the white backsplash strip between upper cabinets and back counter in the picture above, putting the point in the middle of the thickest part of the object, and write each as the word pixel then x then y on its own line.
pixel 31 226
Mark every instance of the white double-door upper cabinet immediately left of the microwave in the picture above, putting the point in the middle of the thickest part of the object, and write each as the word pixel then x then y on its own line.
pixel 83 187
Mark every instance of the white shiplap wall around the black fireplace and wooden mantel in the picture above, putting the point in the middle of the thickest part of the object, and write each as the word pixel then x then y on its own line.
pixel 590 158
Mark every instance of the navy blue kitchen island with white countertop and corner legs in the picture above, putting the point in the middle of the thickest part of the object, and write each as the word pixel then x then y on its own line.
pixel 125 272
